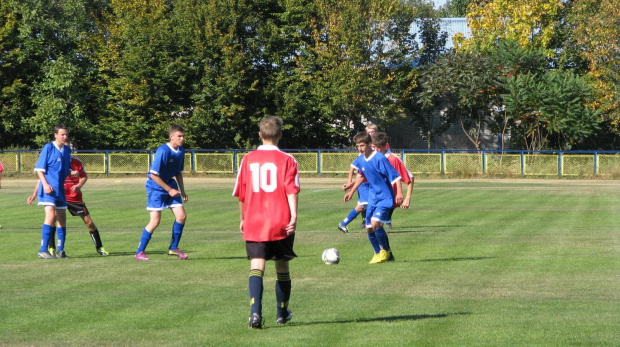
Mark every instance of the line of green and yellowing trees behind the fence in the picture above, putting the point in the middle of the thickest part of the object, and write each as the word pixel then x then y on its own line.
pixel 119 72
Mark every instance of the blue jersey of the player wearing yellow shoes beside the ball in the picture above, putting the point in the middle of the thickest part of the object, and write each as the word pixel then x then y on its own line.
pixel 381 175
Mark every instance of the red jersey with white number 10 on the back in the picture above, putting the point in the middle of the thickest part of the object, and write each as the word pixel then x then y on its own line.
pixel 266 176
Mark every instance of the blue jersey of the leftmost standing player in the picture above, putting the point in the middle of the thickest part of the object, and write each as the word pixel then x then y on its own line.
pixel 55 163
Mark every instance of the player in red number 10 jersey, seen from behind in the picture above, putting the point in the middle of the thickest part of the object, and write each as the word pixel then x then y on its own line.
pixel 267 186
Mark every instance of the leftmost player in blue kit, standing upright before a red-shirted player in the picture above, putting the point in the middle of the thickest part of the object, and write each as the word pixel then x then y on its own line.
pixel 52 167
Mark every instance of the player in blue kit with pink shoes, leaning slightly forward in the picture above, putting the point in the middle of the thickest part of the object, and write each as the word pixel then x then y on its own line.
pixel 165 189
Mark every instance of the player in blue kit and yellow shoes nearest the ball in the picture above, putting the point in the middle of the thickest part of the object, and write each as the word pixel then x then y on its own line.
pixel 381 175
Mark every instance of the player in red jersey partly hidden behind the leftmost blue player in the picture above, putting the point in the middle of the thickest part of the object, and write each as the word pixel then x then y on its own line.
pixel 75 204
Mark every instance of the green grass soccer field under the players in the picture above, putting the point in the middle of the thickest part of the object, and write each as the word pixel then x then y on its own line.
pixel 478 263
